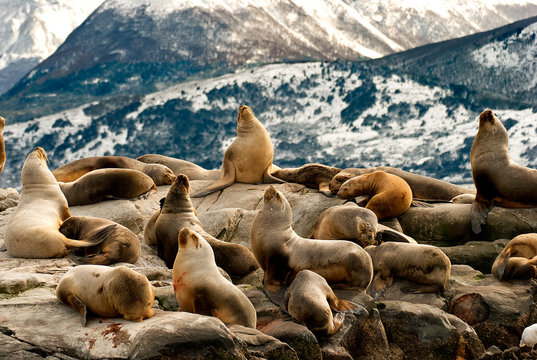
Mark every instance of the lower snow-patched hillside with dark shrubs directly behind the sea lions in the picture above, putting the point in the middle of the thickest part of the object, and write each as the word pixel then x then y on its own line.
pixel 346 114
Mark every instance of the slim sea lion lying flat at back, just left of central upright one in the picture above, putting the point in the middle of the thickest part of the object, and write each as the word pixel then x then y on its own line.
pixel 178 166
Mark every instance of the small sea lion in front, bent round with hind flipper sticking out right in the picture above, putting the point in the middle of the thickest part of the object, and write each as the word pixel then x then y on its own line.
pixel 310 300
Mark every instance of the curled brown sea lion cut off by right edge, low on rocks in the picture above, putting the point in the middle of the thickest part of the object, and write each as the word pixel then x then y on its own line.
pixel 518 260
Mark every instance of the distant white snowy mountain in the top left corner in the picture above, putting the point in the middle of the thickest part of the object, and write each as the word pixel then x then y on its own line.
pixel 31 30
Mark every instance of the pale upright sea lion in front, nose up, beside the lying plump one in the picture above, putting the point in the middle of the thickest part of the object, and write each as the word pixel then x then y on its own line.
pixel 200 288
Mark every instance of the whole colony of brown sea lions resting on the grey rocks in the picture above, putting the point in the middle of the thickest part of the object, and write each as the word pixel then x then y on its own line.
pixel 42 227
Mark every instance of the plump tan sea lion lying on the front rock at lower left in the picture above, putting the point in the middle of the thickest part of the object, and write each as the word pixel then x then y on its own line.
pixel 107 292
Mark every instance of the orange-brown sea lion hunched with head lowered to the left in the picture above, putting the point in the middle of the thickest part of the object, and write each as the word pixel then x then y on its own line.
pixel 389 195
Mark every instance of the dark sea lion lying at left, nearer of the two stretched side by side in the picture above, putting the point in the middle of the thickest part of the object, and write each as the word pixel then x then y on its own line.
pixel 105 184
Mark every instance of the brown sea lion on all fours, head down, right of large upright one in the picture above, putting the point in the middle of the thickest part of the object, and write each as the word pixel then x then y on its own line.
pixel 426 265
